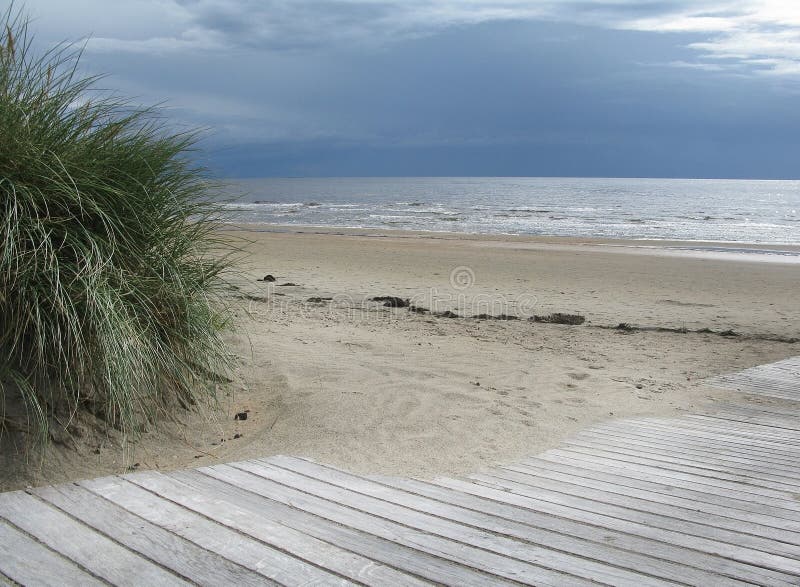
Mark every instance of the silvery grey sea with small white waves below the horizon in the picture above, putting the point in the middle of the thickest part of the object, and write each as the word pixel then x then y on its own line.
pixel 743 211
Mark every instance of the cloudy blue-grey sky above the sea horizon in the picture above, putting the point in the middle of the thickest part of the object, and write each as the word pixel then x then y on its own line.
pixel 592 88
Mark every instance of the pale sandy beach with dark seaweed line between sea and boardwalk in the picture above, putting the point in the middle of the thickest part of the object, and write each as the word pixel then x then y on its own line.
pixel 325 373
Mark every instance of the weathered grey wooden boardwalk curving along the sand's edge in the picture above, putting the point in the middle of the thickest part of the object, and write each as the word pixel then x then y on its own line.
pixel 708 499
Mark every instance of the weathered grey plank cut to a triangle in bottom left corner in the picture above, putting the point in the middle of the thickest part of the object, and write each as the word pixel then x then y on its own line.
pixel 28 562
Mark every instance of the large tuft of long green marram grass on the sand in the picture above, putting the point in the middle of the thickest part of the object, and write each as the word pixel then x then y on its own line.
pixel 110 270
